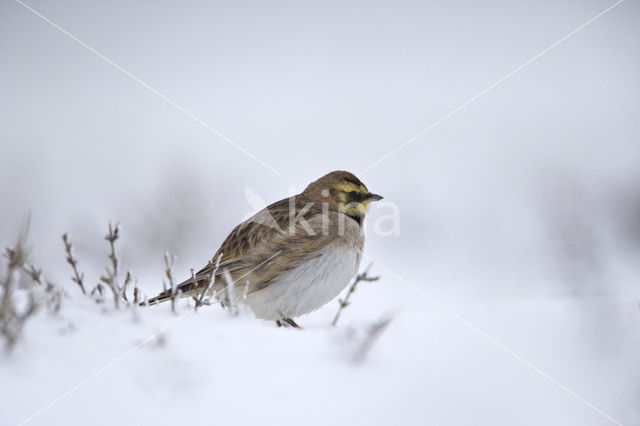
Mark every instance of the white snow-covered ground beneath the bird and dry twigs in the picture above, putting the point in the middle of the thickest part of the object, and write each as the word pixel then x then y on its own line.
pixel 547 361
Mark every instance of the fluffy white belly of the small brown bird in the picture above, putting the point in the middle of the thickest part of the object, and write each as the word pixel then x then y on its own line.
pixel 308 287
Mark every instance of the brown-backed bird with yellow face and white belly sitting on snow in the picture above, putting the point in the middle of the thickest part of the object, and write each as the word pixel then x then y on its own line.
pixel 290 258
